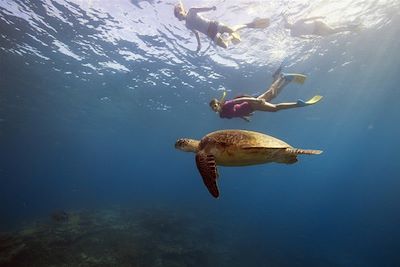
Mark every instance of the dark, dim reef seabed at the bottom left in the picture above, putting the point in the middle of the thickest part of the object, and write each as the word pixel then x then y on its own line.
pixel 113 237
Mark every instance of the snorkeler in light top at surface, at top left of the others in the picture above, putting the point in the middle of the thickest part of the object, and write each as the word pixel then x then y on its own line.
pixel 213 29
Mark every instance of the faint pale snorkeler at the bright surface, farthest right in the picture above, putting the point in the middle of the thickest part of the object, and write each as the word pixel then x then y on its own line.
pixel 314 26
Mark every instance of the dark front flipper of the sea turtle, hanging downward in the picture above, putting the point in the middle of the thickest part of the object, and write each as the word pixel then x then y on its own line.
pixel 208 170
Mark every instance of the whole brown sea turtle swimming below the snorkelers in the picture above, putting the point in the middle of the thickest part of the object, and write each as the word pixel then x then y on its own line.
pixel 237 148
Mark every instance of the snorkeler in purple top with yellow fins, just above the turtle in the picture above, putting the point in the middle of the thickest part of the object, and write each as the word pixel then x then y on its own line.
pixel 244 106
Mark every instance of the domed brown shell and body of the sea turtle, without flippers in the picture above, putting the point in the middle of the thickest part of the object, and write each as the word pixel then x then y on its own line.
pixel 240 147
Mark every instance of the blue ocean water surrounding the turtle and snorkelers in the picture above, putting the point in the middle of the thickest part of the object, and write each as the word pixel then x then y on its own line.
pixel 94 94
